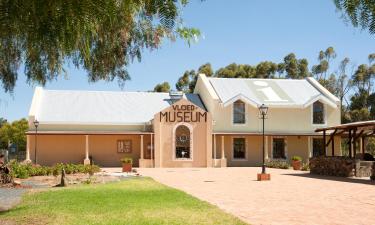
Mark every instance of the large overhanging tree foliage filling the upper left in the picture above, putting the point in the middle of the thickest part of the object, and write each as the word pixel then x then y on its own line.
pixel 102 37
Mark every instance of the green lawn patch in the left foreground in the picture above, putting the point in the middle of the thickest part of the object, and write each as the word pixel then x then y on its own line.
pixel 134 201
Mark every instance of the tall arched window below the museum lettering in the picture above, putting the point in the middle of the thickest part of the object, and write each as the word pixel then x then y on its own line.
pixel 182 140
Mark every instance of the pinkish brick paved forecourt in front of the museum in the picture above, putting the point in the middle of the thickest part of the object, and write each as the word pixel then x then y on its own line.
pixel 291 197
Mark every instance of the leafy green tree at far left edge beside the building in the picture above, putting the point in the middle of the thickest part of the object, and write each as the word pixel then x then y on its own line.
pixel 15 133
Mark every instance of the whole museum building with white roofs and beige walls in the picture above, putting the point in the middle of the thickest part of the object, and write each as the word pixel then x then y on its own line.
pixel 216 126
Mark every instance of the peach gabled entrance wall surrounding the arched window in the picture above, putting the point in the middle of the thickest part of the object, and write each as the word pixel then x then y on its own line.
pixel 201 141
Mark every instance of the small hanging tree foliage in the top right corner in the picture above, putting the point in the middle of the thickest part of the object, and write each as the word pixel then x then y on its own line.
pixel 361 13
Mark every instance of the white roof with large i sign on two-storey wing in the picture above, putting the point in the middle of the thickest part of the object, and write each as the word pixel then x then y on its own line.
pixel 272 92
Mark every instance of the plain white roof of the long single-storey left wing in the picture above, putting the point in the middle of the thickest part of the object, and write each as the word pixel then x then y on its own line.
pixel 100 107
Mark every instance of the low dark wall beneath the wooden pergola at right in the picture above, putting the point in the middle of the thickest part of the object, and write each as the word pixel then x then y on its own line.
pixel 332 166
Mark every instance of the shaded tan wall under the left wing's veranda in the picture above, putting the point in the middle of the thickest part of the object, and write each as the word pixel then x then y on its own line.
pixel 53 149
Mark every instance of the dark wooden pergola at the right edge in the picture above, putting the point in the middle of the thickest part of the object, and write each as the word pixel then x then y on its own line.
pixel 354 131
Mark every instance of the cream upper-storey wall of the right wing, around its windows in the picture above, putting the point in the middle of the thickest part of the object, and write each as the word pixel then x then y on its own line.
pixel 279 120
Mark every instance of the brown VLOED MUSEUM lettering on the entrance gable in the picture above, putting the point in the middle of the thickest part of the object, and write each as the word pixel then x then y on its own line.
pixel 183 113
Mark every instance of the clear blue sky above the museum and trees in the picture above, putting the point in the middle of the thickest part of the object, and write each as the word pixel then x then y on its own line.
pixel 239 31
